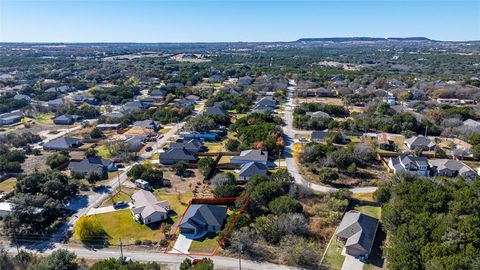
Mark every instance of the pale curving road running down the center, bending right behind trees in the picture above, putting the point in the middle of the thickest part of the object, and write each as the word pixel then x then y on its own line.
pixel 290 133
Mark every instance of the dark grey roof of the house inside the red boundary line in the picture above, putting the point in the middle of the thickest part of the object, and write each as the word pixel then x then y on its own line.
pixel 212 215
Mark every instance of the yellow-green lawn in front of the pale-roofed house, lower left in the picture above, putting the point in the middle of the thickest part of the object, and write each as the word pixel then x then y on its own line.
pixel 120 224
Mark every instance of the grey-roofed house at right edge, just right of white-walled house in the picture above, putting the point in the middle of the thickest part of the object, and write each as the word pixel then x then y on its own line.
pixel 451 168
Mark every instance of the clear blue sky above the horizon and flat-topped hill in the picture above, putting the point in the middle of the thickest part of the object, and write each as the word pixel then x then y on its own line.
pixel 267 20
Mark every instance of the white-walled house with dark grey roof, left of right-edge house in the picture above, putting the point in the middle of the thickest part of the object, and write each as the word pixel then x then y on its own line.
pixel 417 165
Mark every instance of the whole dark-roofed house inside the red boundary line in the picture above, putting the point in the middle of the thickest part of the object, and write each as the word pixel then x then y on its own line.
pixel 201 219
